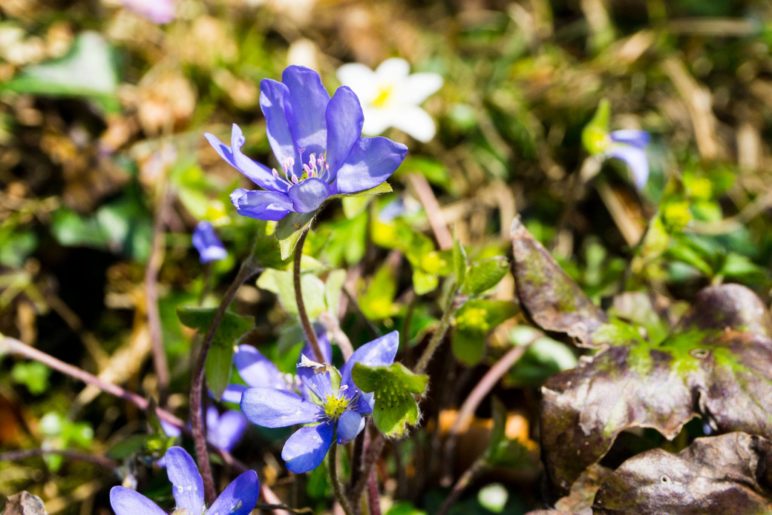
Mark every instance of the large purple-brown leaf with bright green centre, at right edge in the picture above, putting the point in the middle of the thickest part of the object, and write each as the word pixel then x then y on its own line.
pixel 715 364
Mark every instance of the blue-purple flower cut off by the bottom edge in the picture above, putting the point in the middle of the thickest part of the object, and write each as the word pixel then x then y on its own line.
pixel 238 498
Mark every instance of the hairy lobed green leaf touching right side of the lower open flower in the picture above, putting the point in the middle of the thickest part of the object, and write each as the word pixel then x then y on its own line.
pixel 394 387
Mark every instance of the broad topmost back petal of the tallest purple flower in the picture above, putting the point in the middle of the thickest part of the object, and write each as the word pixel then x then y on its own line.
pixel 309 102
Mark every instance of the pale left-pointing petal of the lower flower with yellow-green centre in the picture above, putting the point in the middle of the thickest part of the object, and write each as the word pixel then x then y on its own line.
pixel 275 408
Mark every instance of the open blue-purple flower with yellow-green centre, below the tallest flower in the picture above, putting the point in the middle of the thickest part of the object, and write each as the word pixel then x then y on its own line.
pixel 330 404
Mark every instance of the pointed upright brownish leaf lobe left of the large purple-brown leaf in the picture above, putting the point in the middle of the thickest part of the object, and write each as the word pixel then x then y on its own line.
pixel 549 295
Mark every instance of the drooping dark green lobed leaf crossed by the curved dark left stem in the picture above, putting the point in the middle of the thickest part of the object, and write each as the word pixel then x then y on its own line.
pixel 220 356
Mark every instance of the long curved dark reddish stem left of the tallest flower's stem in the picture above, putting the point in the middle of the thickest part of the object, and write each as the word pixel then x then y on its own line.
pixel 247 270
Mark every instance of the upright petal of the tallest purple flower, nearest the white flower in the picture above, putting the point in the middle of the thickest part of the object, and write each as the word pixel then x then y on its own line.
pixel 344 126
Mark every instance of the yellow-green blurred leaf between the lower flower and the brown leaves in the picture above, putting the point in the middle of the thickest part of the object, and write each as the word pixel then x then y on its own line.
pixel 472 324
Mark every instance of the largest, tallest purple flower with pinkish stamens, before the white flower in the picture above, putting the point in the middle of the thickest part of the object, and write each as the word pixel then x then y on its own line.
pixel 318 143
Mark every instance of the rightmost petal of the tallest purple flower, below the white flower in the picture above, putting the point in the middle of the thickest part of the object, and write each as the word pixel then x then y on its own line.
pixel 371 161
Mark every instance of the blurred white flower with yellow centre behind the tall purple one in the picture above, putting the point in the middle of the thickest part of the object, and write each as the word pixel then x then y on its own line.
pixel 391 97
